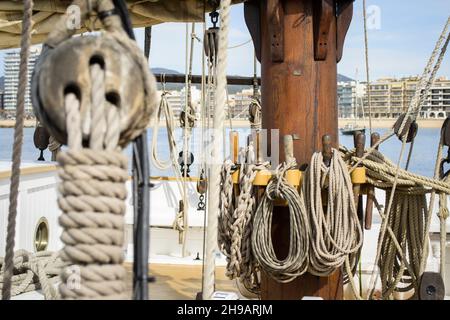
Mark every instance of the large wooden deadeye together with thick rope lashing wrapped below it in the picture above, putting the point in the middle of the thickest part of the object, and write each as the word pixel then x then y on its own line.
pixel 95 94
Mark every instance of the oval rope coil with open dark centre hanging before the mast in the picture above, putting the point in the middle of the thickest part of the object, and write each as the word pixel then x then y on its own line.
pixel 296 261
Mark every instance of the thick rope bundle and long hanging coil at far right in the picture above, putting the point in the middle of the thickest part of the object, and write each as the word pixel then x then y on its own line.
pixel 405 250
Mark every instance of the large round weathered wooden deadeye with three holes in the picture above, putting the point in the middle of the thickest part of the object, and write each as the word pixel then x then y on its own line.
pixel 64 67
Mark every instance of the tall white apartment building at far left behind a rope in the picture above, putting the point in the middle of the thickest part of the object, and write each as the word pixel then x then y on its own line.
pixel 12 62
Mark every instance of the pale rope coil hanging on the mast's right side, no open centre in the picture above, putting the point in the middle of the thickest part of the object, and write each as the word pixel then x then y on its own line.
pixel 335 234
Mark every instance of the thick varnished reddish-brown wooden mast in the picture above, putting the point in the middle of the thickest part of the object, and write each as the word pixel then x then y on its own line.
pixel 299 43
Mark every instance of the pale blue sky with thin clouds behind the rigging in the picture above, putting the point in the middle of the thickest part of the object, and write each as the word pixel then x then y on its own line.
pixel 401 36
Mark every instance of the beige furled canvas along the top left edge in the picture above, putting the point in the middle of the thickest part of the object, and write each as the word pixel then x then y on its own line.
pixel 47 12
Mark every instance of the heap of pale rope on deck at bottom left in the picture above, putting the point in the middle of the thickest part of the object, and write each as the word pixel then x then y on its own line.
pixel 33 272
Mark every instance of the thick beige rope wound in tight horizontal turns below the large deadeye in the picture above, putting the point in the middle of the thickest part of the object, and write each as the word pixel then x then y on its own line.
pixel 92 193
